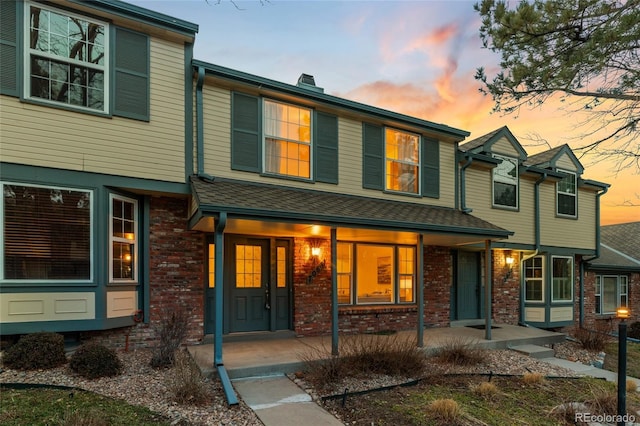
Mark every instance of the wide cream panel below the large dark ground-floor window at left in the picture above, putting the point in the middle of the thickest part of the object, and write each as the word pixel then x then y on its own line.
pixel 29 307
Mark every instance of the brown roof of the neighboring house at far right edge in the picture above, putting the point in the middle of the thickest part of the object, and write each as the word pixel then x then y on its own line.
pixel 620 247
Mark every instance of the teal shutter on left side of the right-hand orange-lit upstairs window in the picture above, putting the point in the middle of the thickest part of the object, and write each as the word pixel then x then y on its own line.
pixel 373 157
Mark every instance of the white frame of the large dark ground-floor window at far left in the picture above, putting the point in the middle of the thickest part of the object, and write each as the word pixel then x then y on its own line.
pixel 91 234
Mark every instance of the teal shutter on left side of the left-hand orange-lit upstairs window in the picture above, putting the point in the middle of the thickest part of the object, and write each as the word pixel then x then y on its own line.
pixel 245 133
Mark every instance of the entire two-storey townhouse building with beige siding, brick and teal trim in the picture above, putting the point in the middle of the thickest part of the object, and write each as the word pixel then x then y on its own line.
pixel 137 180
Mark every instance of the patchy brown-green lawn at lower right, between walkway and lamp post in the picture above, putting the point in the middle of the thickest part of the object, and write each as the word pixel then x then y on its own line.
pixel 511 402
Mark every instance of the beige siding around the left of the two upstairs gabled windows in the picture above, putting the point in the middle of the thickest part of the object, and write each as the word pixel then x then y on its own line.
pixel 479 196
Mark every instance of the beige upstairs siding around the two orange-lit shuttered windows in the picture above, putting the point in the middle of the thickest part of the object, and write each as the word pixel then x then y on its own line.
pixel 217 155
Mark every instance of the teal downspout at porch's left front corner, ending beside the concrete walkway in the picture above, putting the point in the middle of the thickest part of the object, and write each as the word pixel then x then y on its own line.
pixel 218 240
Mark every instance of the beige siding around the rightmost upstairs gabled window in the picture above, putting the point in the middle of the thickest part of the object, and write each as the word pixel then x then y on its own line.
pixel 568 232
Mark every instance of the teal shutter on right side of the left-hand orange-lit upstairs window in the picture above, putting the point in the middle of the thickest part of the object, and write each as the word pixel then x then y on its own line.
pixel 326 148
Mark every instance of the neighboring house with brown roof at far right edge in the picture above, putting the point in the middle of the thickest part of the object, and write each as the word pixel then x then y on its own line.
pixel 614 276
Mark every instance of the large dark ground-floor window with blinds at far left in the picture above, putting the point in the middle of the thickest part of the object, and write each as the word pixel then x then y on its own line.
pixel 47 233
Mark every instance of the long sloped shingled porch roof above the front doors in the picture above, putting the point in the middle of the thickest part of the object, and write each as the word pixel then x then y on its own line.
pixel 279 203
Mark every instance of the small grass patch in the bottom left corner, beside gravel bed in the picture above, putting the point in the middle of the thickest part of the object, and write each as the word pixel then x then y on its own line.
pixel 45 406
